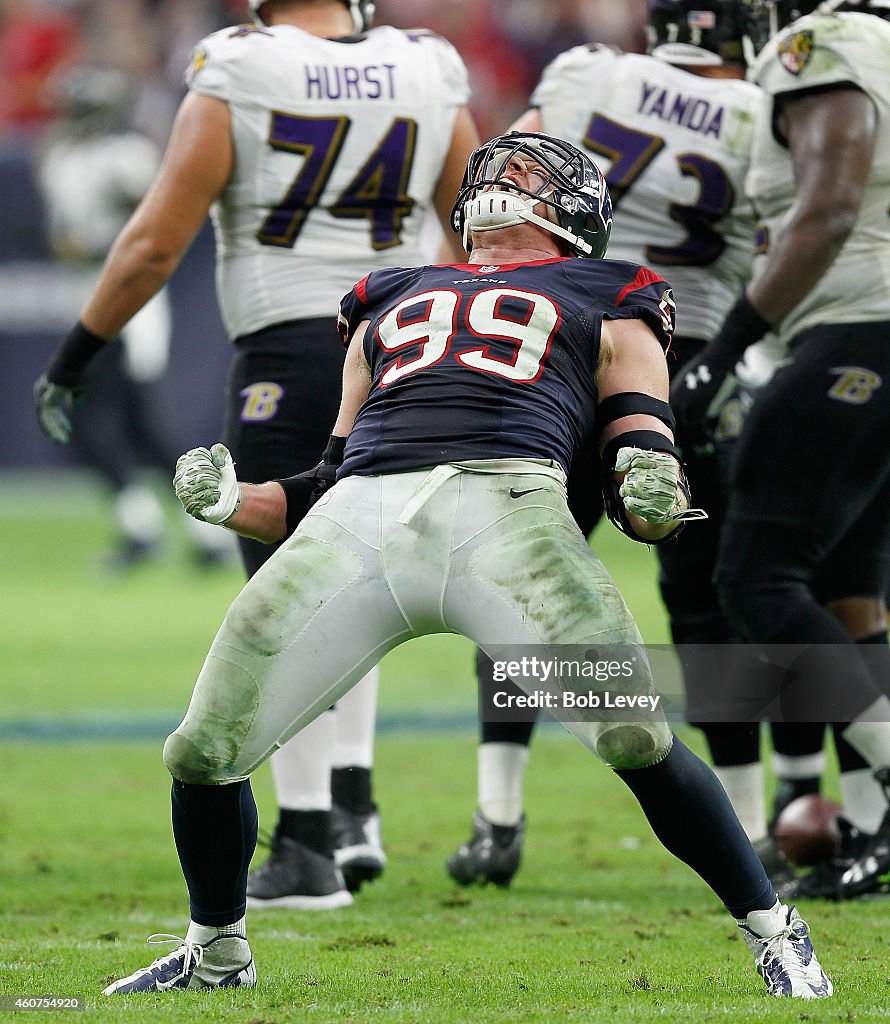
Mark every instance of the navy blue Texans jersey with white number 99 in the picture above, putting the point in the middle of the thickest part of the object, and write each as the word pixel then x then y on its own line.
pixel 477 362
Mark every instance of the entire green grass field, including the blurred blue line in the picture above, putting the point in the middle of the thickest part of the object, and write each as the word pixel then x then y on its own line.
pixel 602 925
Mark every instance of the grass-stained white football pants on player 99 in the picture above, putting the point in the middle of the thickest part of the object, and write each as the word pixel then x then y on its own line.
pixel 487 549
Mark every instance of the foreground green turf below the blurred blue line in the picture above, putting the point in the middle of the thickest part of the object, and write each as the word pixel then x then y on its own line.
pixel 601 925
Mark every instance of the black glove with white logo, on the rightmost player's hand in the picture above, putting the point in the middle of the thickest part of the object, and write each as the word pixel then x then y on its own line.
pixel 699 383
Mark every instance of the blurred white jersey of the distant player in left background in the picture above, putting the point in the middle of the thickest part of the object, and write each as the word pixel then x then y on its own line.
pixel 92 185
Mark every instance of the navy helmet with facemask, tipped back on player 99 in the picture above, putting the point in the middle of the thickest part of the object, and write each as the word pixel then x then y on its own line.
pixel 577 206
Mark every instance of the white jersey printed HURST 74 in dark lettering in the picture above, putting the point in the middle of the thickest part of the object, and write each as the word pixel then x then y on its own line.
pixel 338 149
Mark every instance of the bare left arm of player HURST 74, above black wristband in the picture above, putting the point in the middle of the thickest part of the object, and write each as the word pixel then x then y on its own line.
pixel 196 168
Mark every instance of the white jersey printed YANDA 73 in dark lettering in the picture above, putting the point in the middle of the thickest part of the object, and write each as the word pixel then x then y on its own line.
pixel 675 149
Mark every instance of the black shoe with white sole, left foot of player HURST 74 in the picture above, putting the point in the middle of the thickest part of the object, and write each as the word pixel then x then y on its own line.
pixel 298 878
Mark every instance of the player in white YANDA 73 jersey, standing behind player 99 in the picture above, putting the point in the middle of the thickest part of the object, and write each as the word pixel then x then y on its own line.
pixel 673 131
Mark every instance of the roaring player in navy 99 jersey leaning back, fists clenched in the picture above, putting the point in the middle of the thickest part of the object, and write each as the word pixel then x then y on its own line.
pixel 467 392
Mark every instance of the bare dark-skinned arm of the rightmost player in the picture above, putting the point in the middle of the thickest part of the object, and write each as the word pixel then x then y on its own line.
pixel 831 138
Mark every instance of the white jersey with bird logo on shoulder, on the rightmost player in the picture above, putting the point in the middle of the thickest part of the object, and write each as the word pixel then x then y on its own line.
pixel 818 52
